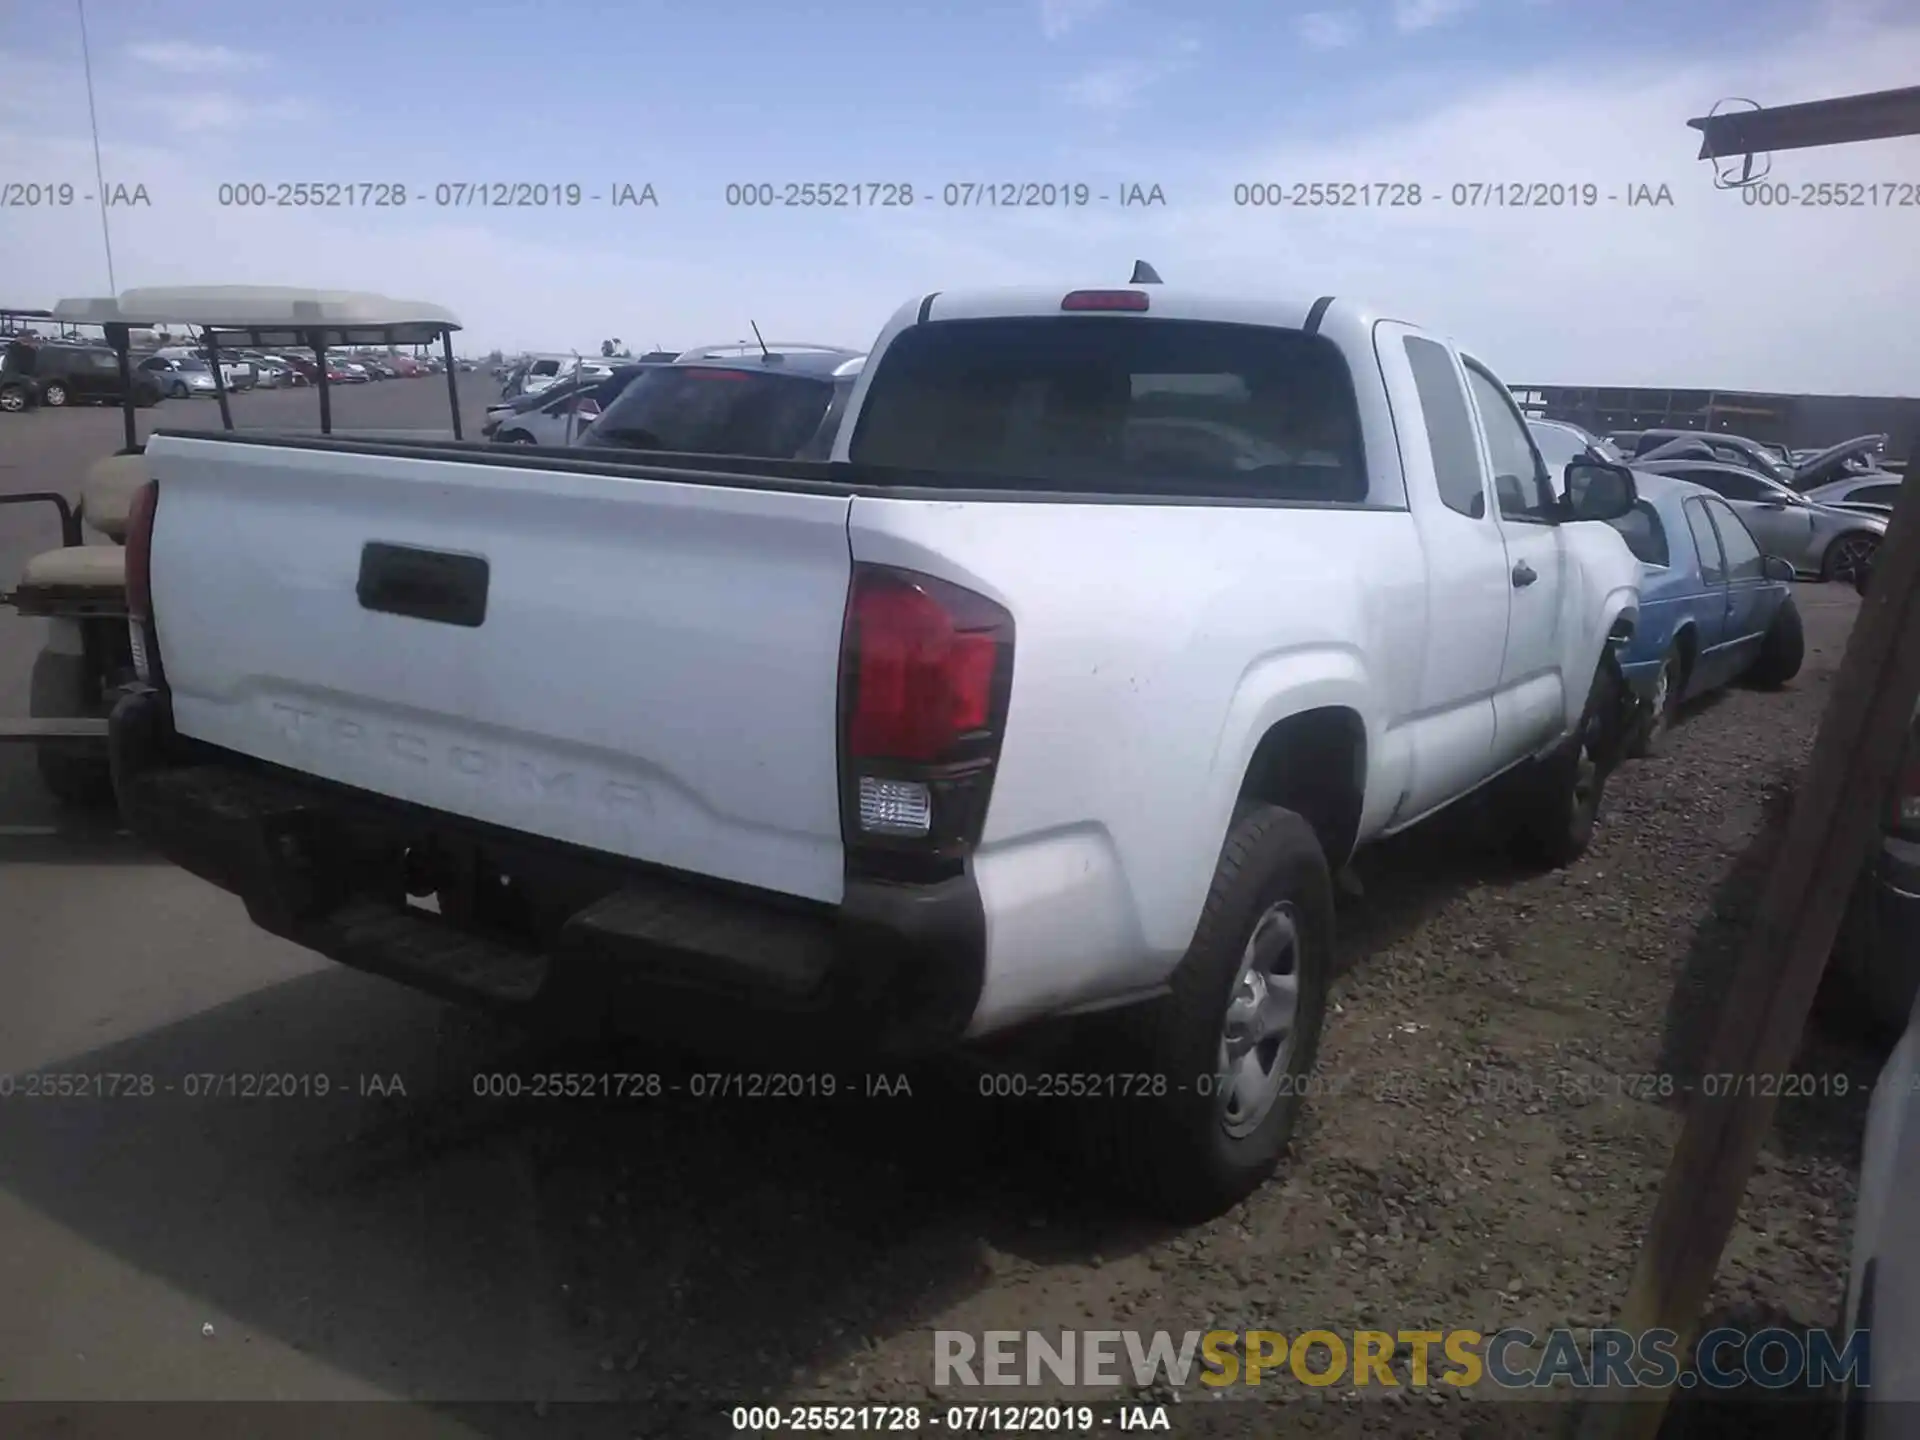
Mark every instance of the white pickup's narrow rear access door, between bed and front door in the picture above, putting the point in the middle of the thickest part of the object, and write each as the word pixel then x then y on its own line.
pixel 1468 592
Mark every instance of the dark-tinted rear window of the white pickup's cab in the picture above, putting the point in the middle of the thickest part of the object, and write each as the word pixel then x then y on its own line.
pixel 1105 402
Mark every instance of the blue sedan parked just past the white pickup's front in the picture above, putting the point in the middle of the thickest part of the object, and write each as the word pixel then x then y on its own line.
pixel 1714 608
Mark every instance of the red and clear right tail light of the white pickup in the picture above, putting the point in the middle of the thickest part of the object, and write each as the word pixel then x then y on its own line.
pixel 926 675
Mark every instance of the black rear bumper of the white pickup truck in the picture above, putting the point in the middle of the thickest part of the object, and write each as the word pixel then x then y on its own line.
pixel 604 942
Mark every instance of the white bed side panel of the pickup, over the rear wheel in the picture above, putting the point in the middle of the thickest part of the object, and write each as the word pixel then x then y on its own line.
pixel 1155 644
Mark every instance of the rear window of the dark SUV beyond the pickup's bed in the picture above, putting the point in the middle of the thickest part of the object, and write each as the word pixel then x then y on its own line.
pixel 706 410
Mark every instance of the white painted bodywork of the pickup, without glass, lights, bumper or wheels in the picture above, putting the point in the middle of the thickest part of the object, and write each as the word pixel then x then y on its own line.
pixel 660 661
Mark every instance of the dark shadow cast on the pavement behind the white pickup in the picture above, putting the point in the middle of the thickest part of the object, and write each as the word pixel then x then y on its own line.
pixel 673 1253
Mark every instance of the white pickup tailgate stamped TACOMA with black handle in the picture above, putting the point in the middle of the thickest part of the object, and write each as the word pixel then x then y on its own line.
pixel 654 673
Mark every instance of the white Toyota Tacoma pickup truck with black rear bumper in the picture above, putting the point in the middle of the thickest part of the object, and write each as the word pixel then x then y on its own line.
pixel 1115 625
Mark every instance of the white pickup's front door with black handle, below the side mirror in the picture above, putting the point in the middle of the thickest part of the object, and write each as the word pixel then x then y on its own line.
pixel 1531 704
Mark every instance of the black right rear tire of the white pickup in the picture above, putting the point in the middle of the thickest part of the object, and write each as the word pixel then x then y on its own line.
pixel 1180 1153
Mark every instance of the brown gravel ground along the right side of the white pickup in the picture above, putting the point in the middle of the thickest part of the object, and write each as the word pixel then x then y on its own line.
pixel 1491 1134
